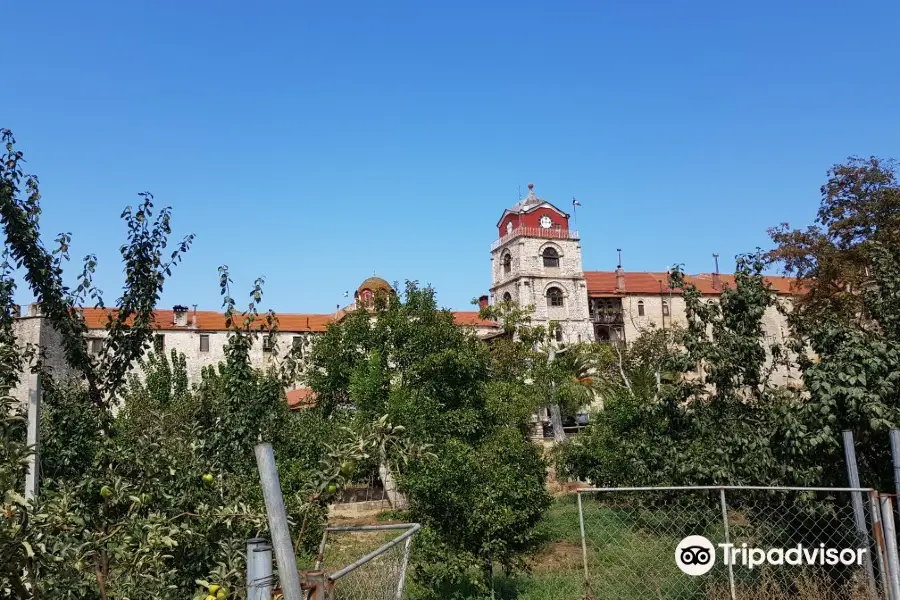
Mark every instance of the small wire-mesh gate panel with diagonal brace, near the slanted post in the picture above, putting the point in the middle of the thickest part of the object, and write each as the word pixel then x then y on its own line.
pixel 366 562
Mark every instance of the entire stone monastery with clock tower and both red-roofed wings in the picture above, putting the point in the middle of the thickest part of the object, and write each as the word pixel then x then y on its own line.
pixel 536 260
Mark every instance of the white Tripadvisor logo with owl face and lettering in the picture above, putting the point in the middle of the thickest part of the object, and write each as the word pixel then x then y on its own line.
pixel 696 555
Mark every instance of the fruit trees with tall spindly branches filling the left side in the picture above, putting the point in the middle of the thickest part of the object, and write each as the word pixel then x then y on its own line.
pixel 145 500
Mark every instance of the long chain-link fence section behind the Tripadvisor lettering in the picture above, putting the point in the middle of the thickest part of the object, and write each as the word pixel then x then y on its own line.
pixel 630 540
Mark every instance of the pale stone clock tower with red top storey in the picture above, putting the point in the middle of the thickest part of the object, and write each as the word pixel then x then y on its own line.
pixel 536 261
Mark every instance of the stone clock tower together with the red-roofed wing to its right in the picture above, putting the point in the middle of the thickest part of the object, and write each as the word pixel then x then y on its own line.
pixel 536 260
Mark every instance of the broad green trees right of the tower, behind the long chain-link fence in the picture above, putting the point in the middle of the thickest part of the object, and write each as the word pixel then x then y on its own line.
pixel 699 406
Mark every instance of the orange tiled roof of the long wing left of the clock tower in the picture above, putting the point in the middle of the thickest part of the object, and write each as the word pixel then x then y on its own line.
pixel 207 320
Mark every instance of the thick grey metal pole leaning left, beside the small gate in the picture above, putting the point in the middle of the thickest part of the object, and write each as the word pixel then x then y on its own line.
pixel 281 533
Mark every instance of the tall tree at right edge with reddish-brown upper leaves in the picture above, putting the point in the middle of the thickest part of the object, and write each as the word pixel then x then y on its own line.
pixel 845 323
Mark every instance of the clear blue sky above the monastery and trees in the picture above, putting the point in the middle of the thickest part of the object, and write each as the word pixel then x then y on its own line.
pixel 316 143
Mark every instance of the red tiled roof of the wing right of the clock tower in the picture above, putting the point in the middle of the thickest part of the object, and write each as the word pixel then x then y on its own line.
pixel 603 283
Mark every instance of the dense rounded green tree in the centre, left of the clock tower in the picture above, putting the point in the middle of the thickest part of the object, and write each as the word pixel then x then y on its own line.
pixel 480 492
